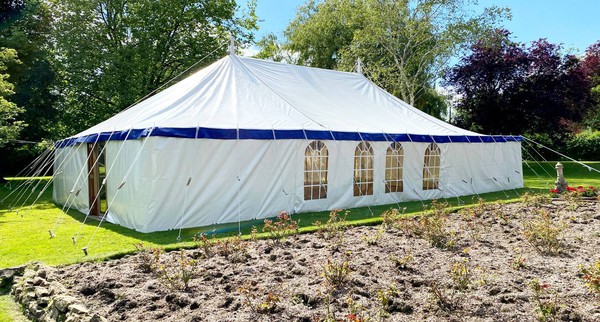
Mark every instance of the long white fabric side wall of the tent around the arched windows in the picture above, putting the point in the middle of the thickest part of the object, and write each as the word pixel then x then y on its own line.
pixel 271 178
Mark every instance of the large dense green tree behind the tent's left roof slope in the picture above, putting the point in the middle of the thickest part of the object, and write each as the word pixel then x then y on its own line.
pixel 113 52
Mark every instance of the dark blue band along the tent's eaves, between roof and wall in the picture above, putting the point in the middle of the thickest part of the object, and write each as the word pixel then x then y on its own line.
pixel 247 134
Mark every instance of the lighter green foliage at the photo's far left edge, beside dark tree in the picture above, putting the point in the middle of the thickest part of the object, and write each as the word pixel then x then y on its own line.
pixel 9 126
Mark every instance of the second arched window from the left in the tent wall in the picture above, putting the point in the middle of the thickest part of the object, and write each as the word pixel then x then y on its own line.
pixel 363 169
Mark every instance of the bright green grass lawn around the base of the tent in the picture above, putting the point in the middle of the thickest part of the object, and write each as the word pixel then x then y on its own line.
pixel 24 235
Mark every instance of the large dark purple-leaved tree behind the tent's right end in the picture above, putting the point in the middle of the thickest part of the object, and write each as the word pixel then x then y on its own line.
pixel 532 90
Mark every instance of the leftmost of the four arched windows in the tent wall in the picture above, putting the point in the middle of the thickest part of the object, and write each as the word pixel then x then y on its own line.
pixel 315 171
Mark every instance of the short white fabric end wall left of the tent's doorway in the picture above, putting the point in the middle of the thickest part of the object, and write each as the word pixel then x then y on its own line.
pixel 70 176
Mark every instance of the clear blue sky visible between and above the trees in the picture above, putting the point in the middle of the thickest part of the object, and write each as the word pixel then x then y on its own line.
pixel 573 23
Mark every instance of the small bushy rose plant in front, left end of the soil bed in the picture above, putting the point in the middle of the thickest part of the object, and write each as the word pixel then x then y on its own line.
pixel 179 275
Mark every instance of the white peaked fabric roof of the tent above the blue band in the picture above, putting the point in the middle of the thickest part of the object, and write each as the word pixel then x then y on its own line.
pixel 238 92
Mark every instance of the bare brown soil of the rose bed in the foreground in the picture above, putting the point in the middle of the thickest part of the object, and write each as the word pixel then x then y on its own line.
pixel 394 274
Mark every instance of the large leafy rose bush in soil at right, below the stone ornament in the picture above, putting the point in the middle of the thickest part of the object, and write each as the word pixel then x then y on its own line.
pixel 543 234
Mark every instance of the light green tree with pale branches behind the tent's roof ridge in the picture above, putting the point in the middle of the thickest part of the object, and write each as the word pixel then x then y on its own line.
pixel 404 44
